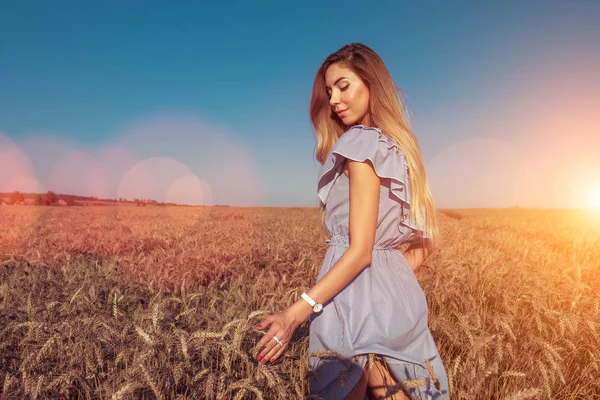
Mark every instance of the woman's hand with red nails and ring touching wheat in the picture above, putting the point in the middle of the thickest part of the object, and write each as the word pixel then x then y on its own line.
pixel 283 325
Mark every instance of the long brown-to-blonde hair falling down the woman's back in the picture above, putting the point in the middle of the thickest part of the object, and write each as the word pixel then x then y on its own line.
pixel 386 112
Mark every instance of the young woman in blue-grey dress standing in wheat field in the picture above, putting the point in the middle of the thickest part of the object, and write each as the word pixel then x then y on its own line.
pixel 368 313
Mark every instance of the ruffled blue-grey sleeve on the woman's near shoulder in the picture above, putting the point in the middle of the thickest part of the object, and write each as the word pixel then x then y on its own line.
pixel 360 143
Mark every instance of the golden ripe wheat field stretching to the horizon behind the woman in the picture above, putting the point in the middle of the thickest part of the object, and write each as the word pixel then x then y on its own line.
pixel 162 302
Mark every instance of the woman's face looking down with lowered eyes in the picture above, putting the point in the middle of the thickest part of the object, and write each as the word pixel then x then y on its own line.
pixel 348 95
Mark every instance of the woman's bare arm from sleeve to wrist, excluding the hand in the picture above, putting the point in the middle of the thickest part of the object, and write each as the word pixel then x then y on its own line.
pixel 364 207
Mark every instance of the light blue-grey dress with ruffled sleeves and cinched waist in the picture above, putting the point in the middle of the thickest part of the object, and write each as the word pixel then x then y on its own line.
pixel 383 310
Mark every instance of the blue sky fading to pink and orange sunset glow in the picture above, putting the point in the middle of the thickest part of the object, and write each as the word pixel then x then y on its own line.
pixel 194 103
